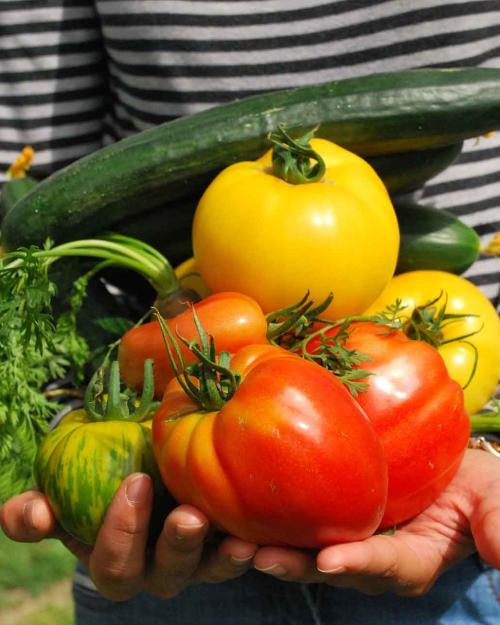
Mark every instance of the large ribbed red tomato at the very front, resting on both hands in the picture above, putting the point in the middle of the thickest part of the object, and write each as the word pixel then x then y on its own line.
pixel 290 459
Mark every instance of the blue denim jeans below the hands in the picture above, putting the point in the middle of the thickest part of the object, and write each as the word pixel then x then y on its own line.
pixel 468 594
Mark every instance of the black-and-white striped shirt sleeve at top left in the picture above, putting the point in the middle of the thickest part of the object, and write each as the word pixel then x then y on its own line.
pixel 53 90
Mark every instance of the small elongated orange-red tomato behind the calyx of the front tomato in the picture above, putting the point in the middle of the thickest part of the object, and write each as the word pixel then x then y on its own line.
pixel 233 319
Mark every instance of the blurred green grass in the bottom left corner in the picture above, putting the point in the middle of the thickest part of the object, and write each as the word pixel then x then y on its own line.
pixel 35 583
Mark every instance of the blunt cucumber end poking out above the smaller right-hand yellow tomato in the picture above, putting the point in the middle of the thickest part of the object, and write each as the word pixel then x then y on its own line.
pixel 434 239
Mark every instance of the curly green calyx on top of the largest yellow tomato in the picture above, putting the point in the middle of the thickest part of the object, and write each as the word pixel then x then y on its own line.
pixel 294 160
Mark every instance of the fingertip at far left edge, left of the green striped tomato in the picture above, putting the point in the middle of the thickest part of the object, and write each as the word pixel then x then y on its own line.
pixel 28 517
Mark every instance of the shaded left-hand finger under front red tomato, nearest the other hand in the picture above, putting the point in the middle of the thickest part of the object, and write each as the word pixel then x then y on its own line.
pixel 229 559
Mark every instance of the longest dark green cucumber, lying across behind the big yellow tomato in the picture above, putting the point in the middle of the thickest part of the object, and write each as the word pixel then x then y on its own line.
pixel 371 115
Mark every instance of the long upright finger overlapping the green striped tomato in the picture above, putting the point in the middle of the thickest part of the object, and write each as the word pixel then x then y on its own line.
pixel 118 560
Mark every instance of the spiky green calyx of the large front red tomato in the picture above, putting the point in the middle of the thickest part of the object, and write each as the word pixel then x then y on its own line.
pixel 208 379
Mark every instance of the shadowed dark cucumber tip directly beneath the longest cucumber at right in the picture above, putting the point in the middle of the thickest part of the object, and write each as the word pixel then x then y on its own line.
pixel 406 171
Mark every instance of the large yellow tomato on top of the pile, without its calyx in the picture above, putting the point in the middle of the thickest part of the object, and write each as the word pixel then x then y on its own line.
pixel 255 233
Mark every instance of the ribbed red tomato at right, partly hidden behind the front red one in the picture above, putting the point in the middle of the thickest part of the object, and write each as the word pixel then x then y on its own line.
pixel 417 411
